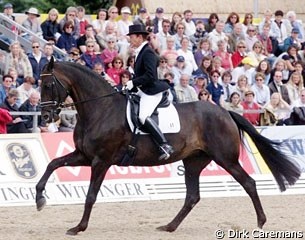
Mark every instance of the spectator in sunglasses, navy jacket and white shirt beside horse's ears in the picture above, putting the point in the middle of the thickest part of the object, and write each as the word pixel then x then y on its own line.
pixel 37 60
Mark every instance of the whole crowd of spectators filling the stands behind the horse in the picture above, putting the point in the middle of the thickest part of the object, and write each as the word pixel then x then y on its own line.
pixel 230 62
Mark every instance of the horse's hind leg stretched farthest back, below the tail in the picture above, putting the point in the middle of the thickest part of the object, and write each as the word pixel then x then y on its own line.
pixel 248 183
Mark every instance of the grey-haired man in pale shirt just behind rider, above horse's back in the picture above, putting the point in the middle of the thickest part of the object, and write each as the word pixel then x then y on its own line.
pixel 185 92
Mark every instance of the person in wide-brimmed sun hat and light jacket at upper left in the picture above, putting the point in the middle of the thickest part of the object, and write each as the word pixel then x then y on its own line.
pixel 32 22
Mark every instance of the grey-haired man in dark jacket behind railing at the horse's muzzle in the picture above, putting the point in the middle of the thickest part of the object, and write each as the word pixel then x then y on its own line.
pixel 32 105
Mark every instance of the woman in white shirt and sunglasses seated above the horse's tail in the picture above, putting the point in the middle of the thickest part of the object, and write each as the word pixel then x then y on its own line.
pixel 261 91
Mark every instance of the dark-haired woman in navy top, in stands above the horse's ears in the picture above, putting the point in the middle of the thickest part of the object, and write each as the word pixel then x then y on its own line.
pixel 66 41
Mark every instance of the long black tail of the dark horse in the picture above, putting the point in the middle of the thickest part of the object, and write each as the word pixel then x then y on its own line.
pixel 285 170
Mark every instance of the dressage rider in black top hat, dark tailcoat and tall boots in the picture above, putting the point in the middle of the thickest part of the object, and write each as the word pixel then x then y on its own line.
pixel 148 86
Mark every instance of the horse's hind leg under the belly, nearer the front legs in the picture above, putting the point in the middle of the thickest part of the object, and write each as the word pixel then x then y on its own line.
pixel 193 167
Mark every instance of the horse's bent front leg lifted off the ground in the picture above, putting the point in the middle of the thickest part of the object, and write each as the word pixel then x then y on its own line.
pixel 72 159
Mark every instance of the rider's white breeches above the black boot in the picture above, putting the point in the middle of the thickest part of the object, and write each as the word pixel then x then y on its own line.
pixel 148 104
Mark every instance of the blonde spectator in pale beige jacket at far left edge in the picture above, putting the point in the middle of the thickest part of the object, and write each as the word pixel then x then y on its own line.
pixel 18 60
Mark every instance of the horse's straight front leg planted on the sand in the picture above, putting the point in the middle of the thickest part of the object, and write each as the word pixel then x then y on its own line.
pixel 98 172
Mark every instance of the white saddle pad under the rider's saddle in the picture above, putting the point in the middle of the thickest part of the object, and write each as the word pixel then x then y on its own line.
pixel 168 119
